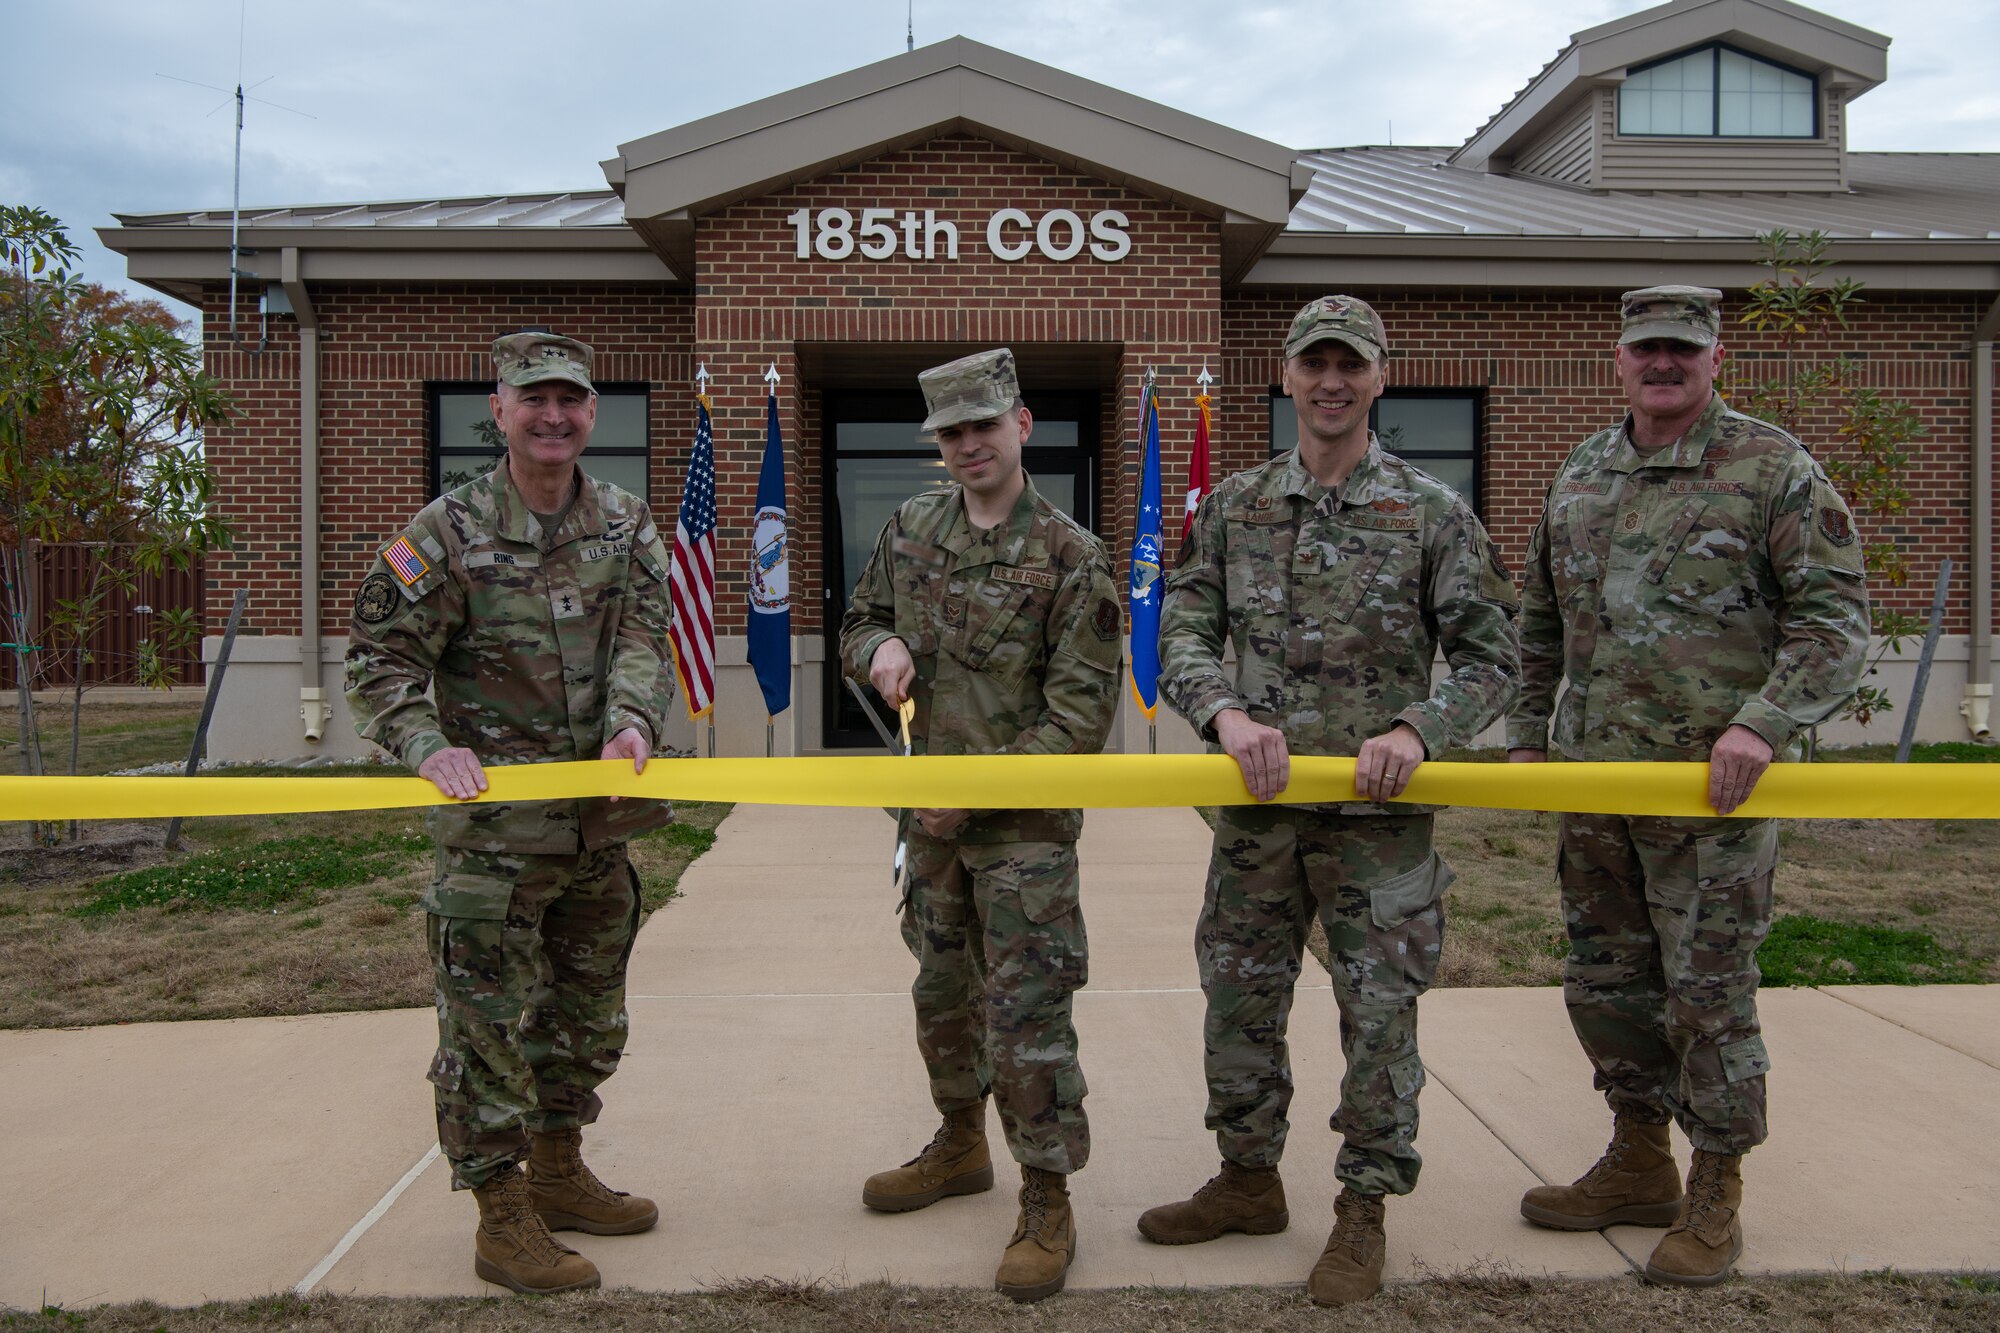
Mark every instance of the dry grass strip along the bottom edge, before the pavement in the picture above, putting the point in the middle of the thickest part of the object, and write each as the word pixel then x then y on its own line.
pixel 1483 1298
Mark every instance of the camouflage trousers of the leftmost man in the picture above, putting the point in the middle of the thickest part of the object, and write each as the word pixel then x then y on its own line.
pixel 531 1008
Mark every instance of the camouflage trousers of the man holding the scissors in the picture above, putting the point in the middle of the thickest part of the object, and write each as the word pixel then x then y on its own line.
pixel 999 940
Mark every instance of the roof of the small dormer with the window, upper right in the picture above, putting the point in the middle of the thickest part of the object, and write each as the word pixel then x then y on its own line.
pixel 1839 53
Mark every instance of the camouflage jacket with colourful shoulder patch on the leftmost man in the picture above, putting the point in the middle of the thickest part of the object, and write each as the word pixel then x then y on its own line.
pixel 541 649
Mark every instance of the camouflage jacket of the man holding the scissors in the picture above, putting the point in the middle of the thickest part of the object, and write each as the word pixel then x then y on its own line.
pixel 1015 635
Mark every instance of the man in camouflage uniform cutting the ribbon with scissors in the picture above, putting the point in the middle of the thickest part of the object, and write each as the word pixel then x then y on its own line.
pixel 995 613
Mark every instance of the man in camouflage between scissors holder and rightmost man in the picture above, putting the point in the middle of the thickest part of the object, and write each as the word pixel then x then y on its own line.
pixel 1337 573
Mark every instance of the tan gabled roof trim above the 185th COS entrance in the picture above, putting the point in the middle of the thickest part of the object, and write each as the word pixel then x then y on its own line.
pixel 955 87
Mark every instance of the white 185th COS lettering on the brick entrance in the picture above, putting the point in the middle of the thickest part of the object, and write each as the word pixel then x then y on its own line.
pixel 1011 235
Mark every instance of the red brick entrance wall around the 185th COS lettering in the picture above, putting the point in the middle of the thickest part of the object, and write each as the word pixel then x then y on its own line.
pixel 759 301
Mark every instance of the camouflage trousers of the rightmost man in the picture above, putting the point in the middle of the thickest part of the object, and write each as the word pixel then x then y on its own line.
pixel 1665 922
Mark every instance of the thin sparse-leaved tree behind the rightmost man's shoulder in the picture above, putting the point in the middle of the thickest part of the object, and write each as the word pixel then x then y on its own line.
pixel 1869 455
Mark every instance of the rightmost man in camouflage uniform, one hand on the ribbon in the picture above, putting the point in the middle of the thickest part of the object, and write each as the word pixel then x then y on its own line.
pixel 1699 583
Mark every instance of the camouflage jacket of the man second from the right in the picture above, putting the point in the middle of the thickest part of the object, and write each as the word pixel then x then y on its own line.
pixel 1337 603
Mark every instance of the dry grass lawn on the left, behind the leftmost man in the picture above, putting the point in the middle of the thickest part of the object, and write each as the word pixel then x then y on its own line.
pixel 319 948
